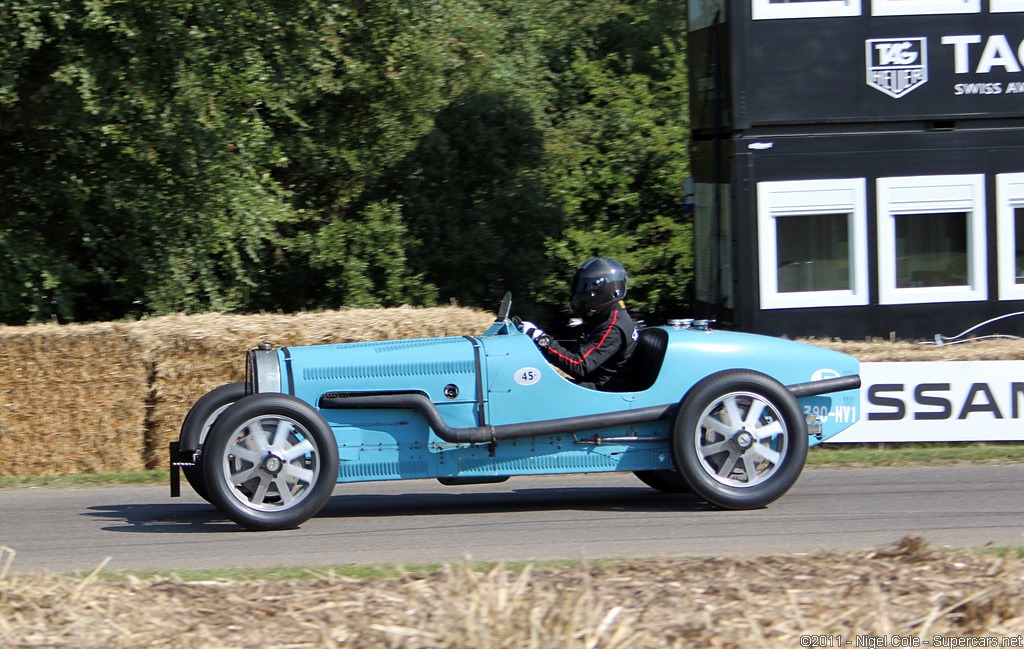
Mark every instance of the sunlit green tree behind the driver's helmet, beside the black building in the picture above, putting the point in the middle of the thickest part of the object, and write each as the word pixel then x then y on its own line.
pixel 618 157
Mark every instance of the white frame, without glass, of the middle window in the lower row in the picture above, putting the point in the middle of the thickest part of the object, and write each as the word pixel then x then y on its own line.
pixel 923 195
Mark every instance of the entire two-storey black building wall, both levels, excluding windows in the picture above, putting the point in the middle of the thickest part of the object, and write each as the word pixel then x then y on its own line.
pixel 855 98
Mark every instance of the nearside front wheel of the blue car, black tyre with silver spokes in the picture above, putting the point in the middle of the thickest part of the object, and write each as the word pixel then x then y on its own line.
pixel 271 462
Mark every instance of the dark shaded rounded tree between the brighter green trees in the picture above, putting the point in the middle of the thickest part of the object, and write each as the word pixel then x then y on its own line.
pixel 475 201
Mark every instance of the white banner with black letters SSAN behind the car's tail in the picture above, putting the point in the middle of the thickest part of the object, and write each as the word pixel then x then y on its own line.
pixel 980 401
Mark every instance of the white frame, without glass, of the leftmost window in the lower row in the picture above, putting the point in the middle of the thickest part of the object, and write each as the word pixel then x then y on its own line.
pixel 798 198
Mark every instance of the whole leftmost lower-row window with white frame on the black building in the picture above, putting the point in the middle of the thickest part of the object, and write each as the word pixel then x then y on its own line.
pixel 813 243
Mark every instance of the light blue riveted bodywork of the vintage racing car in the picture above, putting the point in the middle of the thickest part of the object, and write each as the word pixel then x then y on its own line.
pixel 502 378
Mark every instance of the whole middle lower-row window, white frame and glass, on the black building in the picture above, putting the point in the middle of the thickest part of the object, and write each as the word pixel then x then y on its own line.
pixel 932 239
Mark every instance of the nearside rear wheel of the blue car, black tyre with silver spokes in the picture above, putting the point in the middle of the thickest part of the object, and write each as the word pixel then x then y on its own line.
pixel 745 464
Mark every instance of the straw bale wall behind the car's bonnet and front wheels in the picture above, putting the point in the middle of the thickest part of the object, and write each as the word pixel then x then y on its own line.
pixel 108 398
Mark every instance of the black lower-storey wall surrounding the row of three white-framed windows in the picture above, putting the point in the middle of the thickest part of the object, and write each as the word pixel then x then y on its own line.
pixel 870 156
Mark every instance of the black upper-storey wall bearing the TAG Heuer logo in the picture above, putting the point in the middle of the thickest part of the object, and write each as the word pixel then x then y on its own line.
pixel 846 70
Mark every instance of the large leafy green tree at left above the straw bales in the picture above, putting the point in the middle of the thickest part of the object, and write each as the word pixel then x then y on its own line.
pixel 168 156
